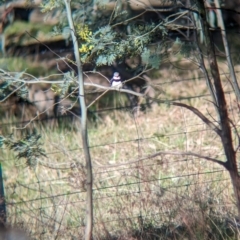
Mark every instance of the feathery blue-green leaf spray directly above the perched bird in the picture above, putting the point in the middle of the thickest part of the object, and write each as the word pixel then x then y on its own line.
pixel 106 45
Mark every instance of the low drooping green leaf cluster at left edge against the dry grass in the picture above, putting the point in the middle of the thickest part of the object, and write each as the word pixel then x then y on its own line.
pixel 29 147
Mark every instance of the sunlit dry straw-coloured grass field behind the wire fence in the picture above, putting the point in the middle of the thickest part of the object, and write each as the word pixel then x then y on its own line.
pixel 162 197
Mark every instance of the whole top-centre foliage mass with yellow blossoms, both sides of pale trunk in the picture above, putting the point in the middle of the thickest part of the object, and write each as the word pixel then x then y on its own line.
pixel 106 36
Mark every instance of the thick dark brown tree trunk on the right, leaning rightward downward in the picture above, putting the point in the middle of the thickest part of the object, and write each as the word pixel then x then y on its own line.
pixel 226 134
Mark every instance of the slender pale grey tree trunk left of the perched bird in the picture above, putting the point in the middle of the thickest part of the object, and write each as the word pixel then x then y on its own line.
pixel 89 181
